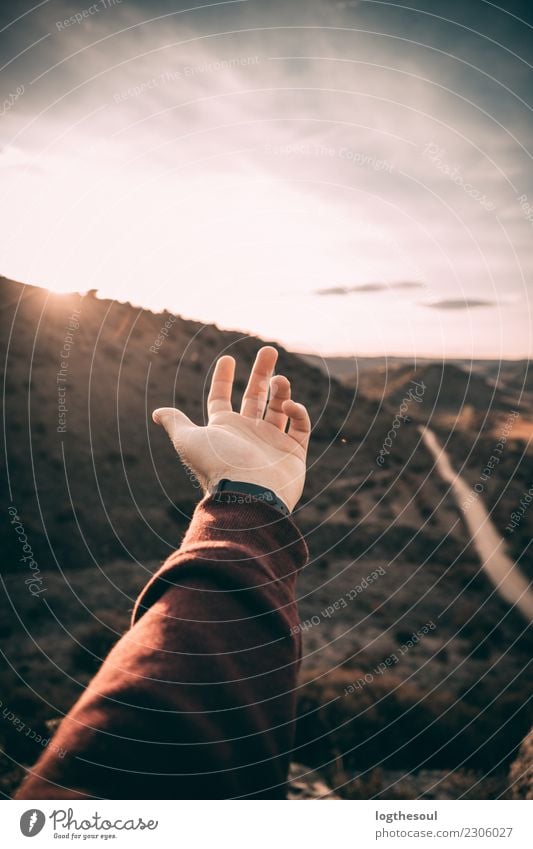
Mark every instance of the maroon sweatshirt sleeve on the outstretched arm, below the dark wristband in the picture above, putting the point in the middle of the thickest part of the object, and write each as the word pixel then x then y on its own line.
pixel 197 700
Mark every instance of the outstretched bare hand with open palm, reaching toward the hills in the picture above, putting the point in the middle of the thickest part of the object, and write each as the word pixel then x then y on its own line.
pixel 246 446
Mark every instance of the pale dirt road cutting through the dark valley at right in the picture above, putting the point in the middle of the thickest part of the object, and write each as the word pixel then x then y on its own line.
pixel 508 579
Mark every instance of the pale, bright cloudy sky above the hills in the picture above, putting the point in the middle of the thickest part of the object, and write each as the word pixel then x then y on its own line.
pixel 343 177
